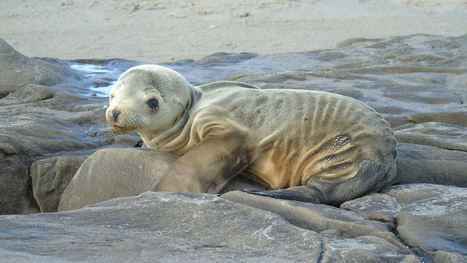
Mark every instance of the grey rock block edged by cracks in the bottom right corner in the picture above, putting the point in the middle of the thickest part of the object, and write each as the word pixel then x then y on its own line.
pixel 432 217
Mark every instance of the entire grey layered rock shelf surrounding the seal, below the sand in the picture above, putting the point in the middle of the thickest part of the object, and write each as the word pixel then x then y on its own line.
pixel 417 82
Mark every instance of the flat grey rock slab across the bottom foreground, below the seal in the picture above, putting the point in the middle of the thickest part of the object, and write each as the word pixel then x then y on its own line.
pixel 407 223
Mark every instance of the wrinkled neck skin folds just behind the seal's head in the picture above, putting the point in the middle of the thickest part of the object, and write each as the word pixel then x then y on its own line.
pixel 155 139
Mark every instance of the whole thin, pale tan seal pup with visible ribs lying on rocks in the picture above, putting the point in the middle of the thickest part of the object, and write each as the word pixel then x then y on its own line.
pixel 304 145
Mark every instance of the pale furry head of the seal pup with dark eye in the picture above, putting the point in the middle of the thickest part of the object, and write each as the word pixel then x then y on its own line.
pixel 148 99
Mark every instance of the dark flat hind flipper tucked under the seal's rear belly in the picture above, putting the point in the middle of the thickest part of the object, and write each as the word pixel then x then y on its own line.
pixel 307 193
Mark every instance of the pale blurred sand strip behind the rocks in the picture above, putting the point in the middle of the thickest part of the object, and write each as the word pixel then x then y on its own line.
pixel 160 31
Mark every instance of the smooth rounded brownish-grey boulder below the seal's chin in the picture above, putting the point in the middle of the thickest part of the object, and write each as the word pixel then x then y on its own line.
pixel 112 173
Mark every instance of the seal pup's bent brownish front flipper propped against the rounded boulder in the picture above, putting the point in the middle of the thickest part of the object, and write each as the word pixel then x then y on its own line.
pixel 223 152
